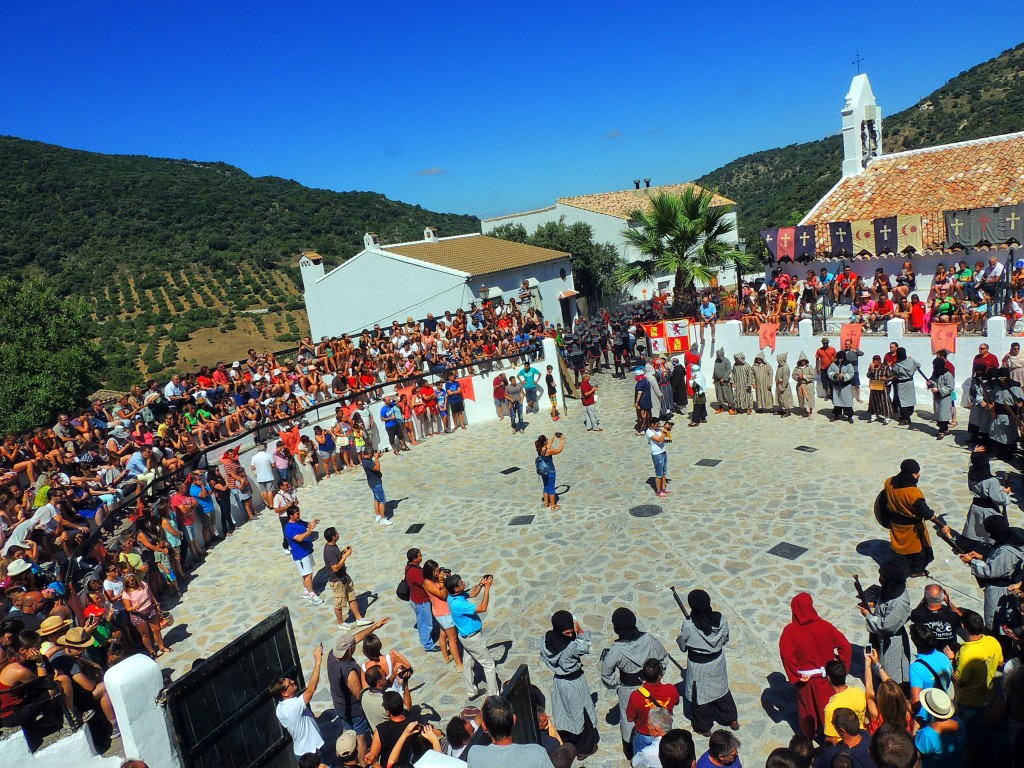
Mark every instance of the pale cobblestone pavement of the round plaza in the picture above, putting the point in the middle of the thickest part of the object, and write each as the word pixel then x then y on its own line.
pixel 592 556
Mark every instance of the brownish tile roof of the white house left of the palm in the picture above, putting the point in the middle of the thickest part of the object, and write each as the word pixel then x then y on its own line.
pixel 477 254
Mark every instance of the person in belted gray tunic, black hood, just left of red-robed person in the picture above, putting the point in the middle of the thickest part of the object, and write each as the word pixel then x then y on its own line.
pixel 703 638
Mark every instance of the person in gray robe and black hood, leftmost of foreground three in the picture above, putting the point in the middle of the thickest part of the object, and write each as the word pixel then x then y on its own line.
pixel 573 707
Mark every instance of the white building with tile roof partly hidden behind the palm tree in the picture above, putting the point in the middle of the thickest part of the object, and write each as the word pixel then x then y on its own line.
pixel 609 215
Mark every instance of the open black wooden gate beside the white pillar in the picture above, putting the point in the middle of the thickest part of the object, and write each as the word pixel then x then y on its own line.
pixel 222 714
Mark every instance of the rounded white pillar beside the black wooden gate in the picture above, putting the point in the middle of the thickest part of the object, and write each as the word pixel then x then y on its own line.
pixel 134 686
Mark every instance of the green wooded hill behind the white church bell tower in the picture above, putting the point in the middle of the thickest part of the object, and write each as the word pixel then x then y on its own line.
pixel 771 186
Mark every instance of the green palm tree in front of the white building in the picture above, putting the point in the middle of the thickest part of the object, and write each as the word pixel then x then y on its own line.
pixel 685 235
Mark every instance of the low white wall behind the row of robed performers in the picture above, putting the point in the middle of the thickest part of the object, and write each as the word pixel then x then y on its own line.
pixel 920 348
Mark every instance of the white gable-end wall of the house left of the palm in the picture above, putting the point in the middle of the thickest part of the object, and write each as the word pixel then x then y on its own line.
pixel 379 287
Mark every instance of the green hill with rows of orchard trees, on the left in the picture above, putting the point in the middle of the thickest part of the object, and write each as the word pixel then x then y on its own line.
pixel 176 257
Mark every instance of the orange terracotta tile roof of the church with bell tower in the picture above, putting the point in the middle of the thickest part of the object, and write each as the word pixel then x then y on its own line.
pixel 982 174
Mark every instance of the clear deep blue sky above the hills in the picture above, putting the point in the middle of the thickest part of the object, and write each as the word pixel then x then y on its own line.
pixel 466 107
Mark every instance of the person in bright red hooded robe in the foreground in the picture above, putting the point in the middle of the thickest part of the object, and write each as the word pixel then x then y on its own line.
pixel 808 644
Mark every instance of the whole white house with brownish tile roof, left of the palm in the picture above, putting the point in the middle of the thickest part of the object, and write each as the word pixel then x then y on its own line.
pixel 382 284
